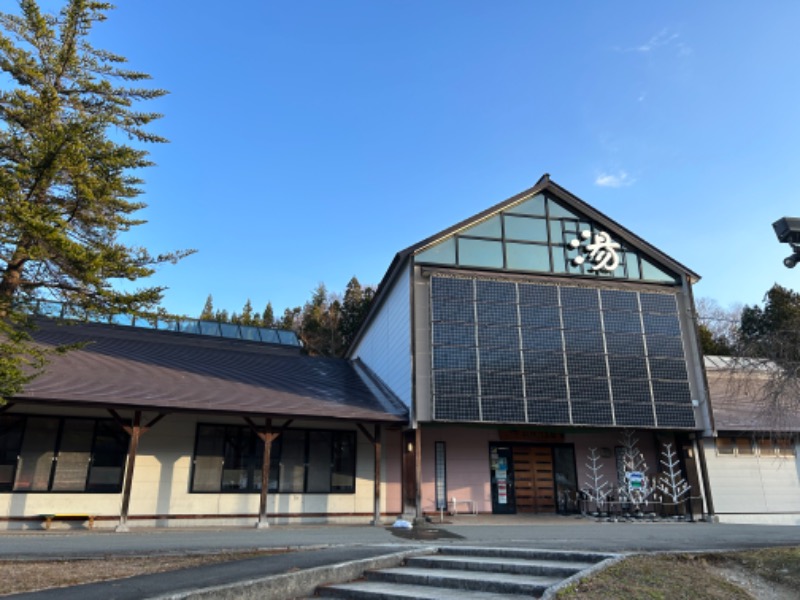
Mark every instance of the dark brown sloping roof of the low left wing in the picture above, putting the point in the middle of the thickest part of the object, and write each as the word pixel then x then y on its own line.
pixel 130 367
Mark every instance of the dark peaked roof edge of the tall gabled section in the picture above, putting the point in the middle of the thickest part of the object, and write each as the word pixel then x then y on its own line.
pixel 544 184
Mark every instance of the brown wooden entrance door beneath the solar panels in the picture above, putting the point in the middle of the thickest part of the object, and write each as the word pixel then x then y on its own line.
pixel 534 484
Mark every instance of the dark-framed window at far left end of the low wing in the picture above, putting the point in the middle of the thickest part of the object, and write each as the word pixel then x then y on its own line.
pixel 61 454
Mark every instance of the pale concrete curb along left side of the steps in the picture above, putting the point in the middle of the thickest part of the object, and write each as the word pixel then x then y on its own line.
pixel 295 585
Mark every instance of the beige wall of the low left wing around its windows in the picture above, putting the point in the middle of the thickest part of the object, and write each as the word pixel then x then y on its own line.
pixel 162 478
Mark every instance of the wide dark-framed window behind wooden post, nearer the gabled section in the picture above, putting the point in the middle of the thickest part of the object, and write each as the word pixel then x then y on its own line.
pixel 228 458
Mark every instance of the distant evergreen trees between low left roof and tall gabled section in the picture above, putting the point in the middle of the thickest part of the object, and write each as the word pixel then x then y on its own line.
pixel 326 324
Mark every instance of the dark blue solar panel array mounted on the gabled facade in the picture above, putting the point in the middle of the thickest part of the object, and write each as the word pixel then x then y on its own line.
pixel 514 352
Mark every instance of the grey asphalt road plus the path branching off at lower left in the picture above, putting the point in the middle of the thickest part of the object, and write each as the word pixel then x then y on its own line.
pixel 330 545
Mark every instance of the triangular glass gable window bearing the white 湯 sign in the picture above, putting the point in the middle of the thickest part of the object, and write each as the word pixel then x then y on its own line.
pixel 542 235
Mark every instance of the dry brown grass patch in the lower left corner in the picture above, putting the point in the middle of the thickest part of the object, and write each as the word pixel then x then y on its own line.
pixel 30 575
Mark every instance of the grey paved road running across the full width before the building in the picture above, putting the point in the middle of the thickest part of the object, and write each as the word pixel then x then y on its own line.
pixel 514 530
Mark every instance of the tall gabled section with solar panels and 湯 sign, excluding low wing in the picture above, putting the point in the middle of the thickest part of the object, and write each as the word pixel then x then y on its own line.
pixel 524 336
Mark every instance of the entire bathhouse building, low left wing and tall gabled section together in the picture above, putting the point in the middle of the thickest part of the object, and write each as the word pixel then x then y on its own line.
pixel 496 355
